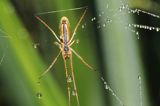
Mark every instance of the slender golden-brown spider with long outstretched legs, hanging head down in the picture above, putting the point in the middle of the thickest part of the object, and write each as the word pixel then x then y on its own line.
pixel 64 42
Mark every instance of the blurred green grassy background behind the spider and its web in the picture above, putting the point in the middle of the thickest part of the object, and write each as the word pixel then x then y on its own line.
pixel 104 42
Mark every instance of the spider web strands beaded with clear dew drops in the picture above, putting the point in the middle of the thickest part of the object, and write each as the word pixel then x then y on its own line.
pixel 104 22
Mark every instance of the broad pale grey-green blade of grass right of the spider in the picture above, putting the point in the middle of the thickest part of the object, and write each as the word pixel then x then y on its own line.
pixel 122 58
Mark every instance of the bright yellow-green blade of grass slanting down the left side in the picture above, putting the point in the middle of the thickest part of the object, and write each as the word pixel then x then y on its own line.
pixel 23 64
